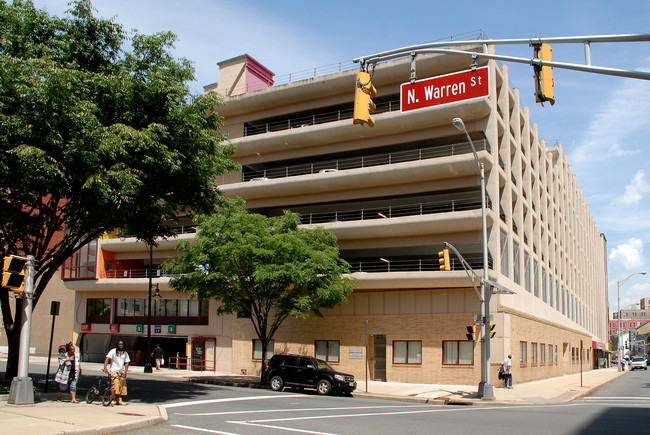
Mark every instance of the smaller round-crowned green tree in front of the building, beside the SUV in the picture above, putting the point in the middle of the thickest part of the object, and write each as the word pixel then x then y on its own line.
pixel 264 268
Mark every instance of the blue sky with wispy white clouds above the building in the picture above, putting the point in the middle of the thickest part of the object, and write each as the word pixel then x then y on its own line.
pixel 599 120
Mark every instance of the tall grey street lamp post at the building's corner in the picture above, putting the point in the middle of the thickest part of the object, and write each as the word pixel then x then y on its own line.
pixel 485 388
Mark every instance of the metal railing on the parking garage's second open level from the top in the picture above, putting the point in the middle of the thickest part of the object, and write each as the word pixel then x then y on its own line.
pixel 365 161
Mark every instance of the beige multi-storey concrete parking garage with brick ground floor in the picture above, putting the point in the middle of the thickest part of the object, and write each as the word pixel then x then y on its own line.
pixel 393 195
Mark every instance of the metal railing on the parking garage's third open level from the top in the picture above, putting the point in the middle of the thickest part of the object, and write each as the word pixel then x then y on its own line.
pixel 416 209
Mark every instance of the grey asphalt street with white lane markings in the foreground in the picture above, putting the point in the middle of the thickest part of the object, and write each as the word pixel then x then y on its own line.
pixel 622 404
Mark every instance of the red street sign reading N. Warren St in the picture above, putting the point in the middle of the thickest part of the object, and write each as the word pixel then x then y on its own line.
pixel 450 88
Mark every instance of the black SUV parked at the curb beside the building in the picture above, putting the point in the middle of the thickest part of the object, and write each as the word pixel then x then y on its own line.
pixel 306 372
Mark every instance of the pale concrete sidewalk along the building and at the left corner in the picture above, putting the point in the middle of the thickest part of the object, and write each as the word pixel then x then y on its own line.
pixel 47 416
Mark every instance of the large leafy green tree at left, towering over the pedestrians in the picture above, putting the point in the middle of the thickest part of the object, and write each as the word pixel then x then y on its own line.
pixel 94 137
